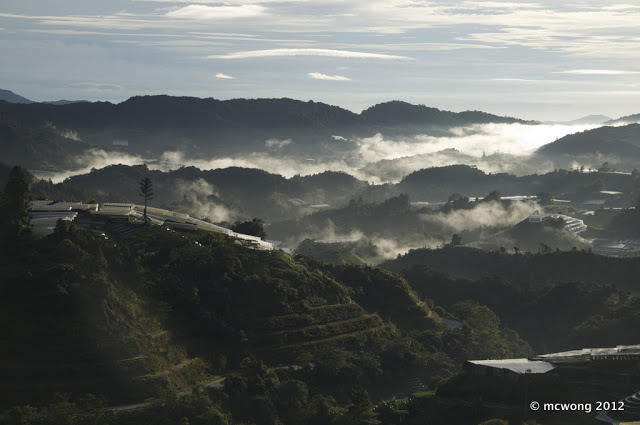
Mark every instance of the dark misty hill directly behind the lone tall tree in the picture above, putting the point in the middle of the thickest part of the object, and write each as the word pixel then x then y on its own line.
pixel 220 194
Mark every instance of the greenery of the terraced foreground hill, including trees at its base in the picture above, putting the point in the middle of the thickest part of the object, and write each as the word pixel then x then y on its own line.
pixel 130 327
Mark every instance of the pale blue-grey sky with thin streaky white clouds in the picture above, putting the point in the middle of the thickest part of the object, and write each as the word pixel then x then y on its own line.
pixel 542 60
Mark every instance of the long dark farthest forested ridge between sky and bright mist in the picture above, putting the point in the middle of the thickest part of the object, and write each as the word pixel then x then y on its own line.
pixel 156 123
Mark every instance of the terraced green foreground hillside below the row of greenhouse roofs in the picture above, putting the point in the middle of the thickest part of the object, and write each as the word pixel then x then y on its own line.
pixel 130 328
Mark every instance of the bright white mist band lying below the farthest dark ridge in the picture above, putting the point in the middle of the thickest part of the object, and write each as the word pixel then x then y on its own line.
pixel 377 159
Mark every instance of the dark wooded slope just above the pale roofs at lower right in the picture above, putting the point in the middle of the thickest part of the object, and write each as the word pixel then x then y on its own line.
pixel 553 317
